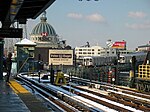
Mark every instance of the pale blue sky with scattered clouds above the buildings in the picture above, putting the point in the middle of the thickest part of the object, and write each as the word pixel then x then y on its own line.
pixel 79 21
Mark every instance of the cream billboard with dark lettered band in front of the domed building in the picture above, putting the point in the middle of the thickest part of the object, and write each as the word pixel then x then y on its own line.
pixel 60 57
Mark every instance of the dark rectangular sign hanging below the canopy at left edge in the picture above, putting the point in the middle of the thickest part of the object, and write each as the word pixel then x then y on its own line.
pixel 11 33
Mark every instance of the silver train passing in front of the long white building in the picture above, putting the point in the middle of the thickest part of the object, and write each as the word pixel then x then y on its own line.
pixel 108 60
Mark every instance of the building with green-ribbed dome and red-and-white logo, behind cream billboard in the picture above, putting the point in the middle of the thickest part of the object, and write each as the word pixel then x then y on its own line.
pixel 47 40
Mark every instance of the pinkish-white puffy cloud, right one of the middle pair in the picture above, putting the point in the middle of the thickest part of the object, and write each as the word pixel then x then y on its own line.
pixel 95 18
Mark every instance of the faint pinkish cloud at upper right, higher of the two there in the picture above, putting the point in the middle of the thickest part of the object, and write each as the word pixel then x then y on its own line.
pixel 137 14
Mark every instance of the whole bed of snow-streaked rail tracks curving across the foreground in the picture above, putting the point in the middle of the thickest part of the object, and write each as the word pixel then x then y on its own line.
pixel 78 98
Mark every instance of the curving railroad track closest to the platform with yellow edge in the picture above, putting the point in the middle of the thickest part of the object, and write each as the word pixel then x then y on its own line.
pixel 55 103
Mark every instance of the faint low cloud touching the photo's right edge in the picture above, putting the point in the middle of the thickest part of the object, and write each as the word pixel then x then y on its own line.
pixel 139 26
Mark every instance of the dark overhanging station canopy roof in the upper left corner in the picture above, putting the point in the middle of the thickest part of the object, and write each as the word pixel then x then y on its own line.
pixel 21 10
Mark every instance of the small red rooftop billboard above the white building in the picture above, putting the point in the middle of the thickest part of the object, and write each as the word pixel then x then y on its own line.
pixel 119 45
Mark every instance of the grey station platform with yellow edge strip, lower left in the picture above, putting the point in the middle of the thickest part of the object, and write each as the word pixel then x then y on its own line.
pixel 15 98
